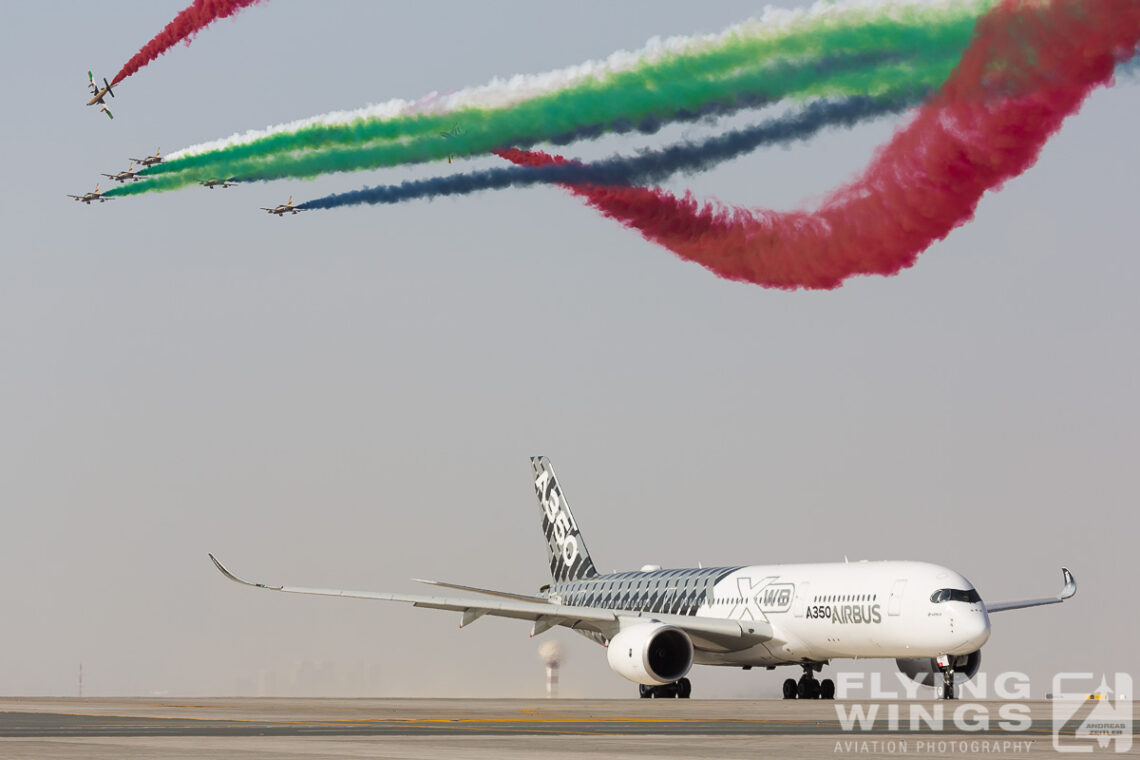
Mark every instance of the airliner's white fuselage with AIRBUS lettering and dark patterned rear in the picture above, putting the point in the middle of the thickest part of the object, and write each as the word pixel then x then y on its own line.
pixel 818 612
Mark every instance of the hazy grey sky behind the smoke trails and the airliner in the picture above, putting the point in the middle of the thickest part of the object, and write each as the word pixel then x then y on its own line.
pixel 349 398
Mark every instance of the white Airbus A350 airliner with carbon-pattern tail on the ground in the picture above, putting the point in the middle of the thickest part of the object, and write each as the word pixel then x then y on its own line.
pixel 656 624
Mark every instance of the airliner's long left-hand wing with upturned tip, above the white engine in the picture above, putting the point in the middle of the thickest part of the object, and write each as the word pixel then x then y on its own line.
pixel 715 634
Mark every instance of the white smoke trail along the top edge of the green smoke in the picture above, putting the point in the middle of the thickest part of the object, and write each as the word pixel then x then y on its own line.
pixel 503 93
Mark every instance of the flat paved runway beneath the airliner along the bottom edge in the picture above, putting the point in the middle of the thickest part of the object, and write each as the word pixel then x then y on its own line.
pixel 493 729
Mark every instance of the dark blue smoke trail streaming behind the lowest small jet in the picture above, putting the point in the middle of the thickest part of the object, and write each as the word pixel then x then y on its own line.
pixel 647 167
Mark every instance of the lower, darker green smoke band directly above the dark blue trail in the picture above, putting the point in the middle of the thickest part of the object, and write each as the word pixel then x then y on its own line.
pixel 533 122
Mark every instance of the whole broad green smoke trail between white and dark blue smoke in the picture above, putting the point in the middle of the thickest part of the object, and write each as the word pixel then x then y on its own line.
pixel 803 63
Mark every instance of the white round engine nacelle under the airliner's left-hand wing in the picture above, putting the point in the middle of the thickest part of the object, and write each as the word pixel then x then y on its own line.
pixel 652 655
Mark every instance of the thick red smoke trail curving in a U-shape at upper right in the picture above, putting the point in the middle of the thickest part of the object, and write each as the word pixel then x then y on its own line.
pixel 1030 66
